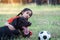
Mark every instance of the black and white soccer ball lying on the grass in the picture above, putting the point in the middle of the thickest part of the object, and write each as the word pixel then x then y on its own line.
pixel 44 35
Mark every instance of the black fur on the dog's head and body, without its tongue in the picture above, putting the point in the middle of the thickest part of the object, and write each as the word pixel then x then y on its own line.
pixel 5 32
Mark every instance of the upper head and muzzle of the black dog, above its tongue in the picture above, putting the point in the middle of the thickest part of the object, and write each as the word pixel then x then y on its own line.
pixel 20 22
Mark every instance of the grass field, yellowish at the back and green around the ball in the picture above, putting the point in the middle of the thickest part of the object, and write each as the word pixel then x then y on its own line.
pixel 45 17
